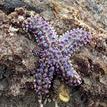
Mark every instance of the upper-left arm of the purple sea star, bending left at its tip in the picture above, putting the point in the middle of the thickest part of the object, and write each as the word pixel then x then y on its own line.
pixel 41 29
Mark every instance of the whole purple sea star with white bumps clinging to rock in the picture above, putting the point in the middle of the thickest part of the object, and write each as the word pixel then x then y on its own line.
pixel 54 53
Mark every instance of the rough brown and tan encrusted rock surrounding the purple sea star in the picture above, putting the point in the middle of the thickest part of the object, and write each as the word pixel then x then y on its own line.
pixel 17 60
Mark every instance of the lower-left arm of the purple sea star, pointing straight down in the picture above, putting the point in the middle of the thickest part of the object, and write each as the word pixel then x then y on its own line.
pixel 43 78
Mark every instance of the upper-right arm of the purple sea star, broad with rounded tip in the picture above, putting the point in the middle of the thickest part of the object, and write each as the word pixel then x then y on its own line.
pixel 72 40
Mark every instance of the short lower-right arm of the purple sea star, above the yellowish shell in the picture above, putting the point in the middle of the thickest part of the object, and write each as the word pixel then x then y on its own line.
pixel 70 76
